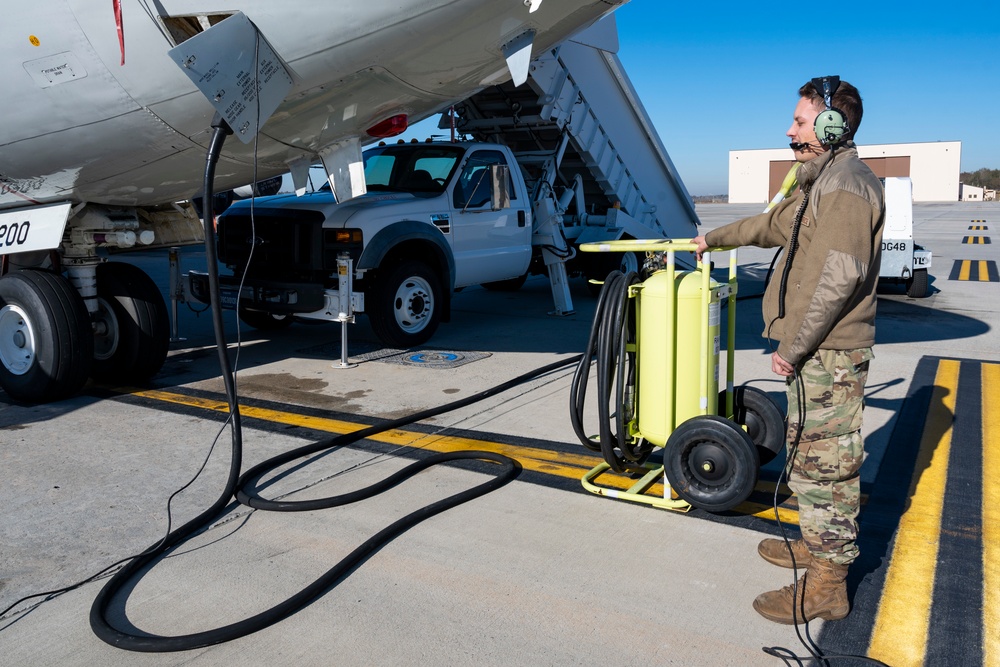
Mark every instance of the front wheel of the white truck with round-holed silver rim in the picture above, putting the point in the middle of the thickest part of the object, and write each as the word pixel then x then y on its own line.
pixel 406 307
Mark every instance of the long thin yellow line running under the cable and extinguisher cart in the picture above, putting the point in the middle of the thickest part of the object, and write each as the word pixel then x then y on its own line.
pixel 560 464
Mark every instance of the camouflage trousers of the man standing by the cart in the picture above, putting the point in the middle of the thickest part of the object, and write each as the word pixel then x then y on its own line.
pixel 825 470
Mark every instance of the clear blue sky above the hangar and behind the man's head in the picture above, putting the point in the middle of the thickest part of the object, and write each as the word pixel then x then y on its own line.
pixel 718 76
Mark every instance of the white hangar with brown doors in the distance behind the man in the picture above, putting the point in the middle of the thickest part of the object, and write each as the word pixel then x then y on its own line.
pixel 933 167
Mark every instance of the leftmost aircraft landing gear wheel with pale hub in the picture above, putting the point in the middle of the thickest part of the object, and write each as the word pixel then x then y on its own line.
pixel 46 345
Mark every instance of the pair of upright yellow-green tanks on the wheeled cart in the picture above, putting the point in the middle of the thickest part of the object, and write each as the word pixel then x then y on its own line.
pixel 657 344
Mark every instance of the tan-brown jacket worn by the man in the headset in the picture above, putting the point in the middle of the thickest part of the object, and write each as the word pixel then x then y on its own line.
pixel 830 297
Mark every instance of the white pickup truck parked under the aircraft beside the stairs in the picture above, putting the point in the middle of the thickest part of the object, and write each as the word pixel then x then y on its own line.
pixel 437 216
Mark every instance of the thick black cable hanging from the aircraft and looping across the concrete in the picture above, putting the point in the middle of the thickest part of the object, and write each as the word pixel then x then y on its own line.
pixel 244 490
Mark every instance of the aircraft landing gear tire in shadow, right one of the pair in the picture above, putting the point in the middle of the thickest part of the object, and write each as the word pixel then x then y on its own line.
pixel 132 328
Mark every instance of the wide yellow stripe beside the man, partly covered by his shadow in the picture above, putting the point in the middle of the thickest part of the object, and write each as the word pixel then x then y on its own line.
pixel 900 634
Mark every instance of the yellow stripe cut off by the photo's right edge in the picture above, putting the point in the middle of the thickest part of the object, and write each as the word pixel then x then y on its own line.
pixel 991 515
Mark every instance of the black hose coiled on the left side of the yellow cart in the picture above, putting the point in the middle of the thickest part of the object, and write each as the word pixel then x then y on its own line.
pixel 611 332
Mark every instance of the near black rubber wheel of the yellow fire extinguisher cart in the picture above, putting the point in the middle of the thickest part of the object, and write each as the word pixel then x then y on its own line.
pixel 711 463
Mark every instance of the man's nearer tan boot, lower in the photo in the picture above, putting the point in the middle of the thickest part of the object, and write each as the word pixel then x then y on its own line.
pixel 821 593
